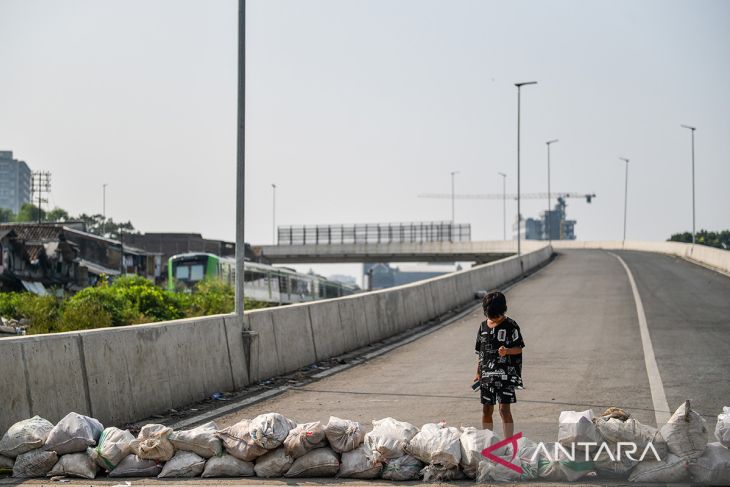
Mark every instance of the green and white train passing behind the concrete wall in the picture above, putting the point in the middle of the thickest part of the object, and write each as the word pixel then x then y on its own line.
pixel 262 282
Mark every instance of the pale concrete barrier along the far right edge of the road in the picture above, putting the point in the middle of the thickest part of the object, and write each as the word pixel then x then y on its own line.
pixel 716 258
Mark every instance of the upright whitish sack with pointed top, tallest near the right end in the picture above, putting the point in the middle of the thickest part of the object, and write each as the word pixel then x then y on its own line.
pixel 685 433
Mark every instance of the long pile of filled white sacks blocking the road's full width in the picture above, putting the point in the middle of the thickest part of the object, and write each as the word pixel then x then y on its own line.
pixel 272 445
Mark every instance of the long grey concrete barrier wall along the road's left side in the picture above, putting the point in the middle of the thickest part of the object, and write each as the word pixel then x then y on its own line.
pixel 125 374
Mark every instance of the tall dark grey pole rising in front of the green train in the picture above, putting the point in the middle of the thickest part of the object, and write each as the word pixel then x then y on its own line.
pixel 241 158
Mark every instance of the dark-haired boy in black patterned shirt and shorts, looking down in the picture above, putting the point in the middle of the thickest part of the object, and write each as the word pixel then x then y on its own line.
pixel 499 369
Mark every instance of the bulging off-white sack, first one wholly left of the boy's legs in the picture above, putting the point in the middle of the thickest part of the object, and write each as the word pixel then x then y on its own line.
pixel 436 444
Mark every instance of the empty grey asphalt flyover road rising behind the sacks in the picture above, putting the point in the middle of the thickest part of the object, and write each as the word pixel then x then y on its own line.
pixel 583 350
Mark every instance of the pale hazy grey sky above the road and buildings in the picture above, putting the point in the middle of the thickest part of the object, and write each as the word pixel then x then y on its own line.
pixel 355 107
